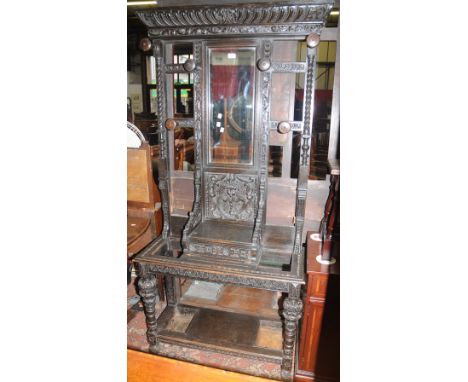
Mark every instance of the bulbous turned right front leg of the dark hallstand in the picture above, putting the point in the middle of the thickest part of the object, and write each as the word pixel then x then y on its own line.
pixel 292 313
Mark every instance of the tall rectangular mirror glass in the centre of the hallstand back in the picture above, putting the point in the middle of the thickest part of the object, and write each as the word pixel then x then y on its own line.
pixel 232 83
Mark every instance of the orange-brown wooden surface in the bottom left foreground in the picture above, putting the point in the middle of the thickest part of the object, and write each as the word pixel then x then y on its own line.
pixel 143 367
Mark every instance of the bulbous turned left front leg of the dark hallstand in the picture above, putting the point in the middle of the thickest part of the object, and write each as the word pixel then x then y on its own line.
pixel 147 286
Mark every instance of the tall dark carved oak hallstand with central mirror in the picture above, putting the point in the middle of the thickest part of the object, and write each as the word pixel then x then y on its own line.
pixel 226 238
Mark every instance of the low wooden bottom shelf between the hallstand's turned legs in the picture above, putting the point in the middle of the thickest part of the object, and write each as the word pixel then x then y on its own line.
pixel 225 332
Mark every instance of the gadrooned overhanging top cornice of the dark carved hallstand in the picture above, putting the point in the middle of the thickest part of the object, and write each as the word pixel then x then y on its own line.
pixel 260 14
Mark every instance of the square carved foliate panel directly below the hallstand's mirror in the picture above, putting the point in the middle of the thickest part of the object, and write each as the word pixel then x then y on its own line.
pixel 230 196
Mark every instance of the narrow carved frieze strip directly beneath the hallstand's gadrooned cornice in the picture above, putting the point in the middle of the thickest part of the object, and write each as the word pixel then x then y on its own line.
pixel 281 29
